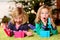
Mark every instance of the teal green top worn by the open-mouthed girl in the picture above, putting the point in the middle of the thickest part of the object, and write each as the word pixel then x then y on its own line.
pixel 39 27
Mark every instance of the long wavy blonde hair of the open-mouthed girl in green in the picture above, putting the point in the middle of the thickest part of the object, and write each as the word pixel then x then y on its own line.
pixel 38 18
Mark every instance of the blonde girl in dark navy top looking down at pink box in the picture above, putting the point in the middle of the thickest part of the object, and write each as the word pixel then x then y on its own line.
pixel 19 21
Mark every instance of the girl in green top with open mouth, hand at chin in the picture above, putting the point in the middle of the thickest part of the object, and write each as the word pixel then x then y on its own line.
pixel 44 20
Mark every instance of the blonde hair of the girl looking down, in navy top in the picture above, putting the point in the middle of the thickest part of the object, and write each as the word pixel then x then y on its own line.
pixel 16 12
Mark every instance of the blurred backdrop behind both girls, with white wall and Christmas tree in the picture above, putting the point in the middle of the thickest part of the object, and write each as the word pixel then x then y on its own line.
pixel 30 7
